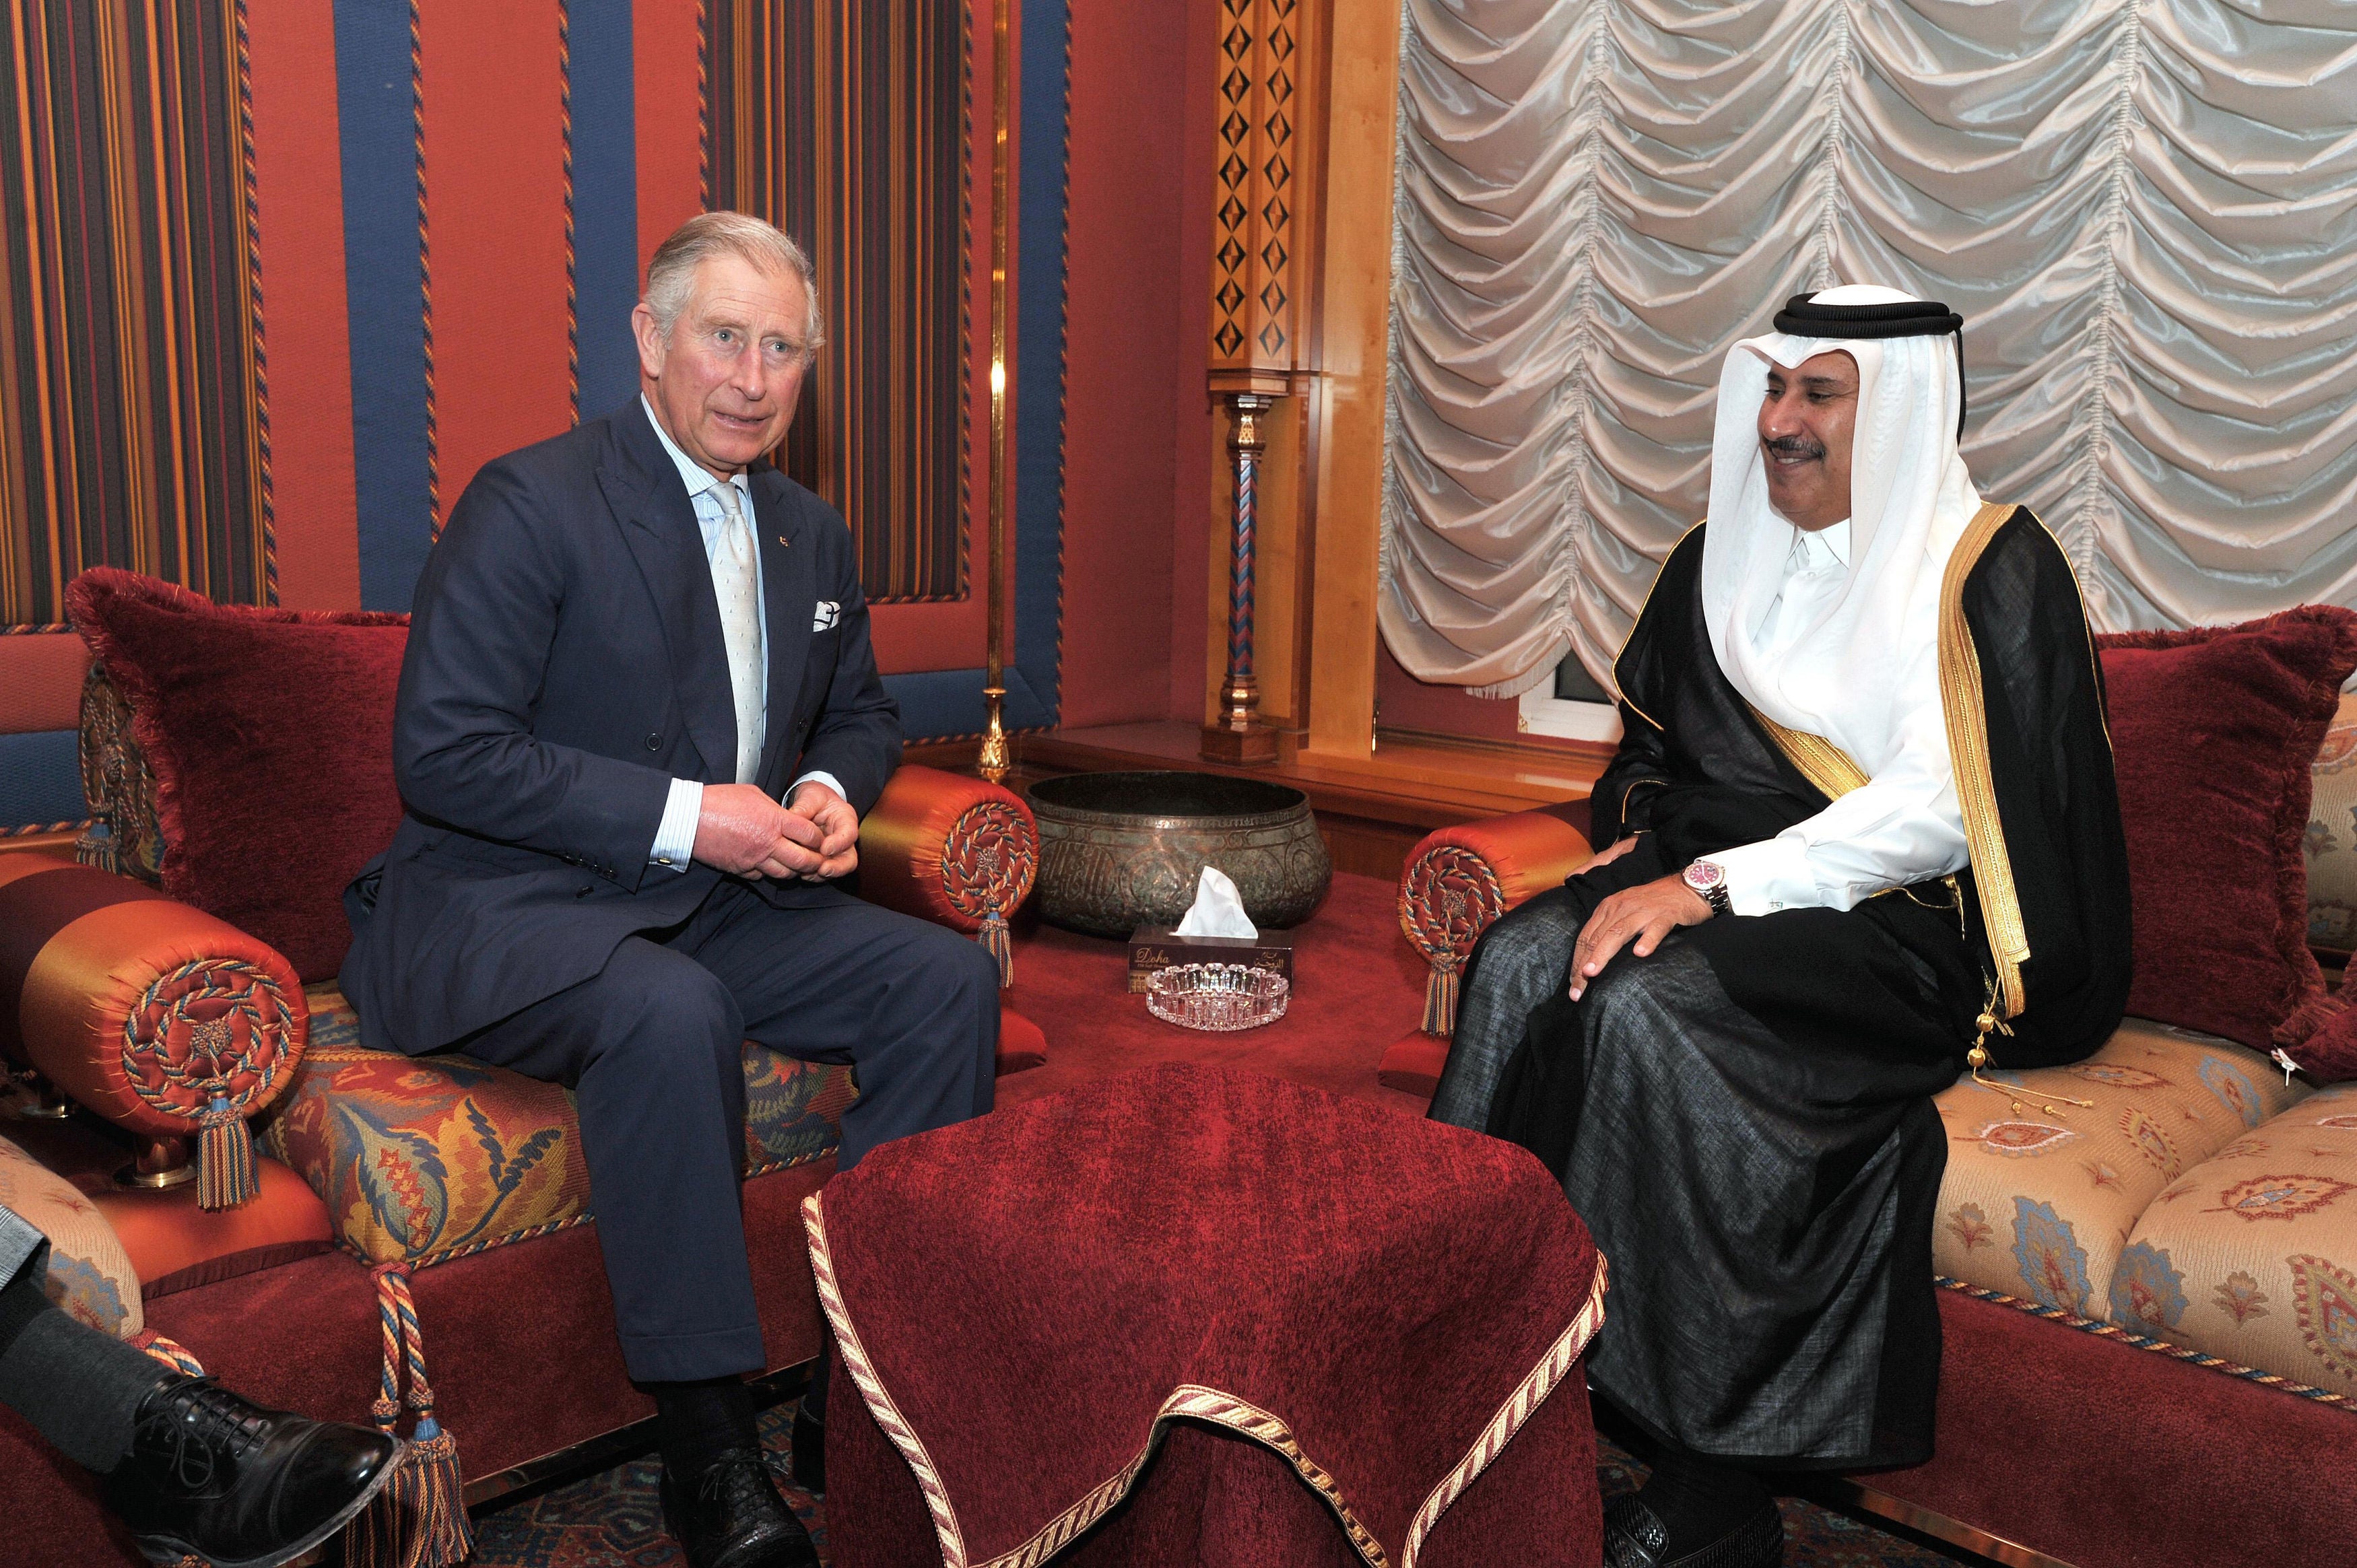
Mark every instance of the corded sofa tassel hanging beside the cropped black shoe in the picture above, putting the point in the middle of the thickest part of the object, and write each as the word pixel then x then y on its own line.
pixel 421 1517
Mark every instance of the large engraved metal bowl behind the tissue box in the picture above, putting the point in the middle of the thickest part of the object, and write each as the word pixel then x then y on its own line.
pixel 1125 850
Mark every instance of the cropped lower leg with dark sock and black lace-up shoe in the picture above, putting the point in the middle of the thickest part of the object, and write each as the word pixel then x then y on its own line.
pixel 190 1465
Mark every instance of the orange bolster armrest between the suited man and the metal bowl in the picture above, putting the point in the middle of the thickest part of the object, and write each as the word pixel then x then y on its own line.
pixel 949 848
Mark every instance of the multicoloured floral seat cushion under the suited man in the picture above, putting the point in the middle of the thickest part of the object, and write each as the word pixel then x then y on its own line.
pixel 425 1159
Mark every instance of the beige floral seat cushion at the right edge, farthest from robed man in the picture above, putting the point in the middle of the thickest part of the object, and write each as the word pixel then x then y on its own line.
pixel 2252 1256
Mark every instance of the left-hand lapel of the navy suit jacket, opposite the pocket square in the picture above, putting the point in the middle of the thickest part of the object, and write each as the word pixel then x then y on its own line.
pixel 659 522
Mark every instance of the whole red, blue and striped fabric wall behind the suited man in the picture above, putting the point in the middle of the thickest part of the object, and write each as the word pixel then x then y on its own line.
pixel 451 209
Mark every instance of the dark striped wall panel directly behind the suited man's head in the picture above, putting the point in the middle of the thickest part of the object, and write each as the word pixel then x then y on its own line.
pixel 847 129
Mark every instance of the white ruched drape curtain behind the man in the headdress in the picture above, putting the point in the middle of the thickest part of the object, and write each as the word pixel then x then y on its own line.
pixel 2144 211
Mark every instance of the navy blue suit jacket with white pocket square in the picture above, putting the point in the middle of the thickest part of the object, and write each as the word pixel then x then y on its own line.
pixel 565 666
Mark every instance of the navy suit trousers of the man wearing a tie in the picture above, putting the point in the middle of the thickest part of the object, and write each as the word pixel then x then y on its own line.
pixel 654 1053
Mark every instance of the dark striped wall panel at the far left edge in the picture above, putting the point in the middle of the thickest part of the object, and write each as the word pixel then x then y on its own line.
pixel 133 414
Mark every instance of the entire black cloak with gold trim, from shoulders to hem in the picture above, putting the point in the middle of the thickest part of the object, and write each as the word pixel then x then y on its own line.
pixel 1745 1119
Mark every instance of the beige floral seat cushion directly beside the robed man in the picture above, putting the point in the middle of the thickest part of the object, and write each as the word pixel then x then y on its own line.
pixel 2040 1204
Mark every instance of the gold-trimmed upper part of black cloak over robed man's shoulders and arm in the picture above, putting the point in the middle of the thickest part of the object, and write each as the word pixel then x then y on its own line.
pixel 2047 897
